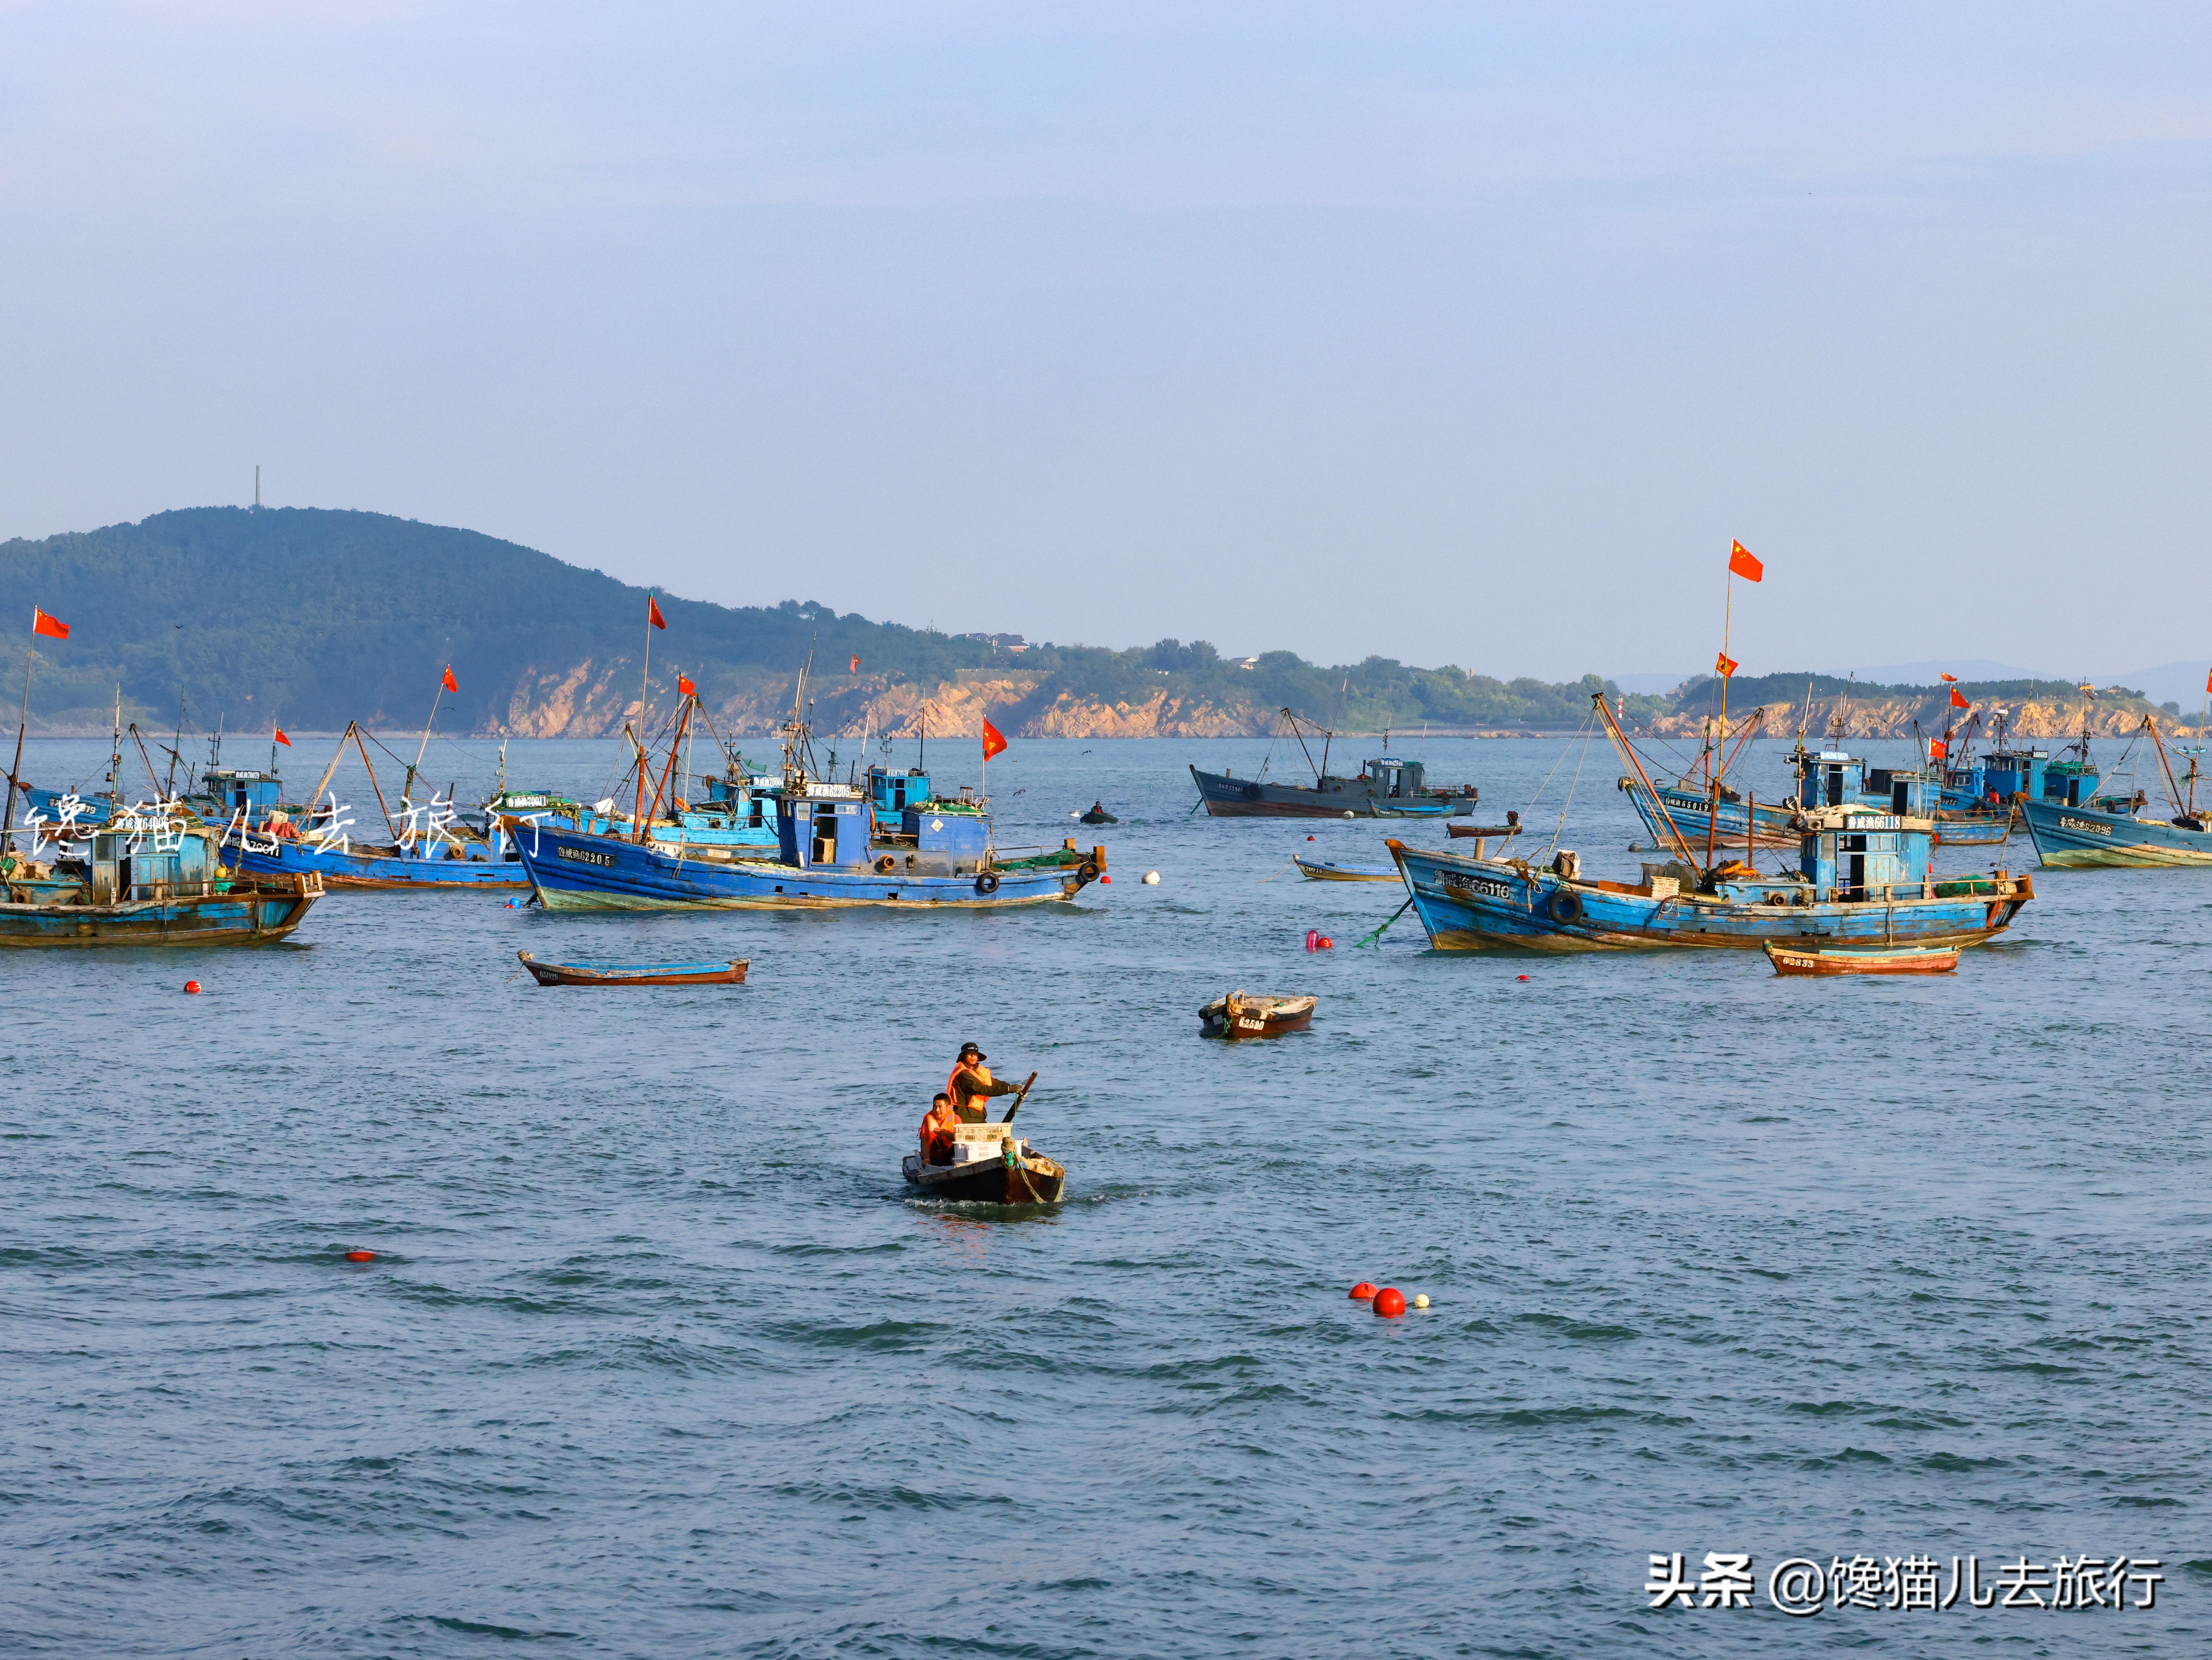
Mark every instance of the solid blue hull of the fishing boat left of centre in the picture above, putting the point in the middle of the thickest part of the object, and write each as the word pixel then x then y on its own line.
pixel 574 872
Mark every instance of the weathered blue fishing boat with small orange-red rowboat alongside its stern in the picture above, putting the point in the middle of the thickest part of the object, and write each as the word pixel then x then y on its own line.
pixel 1864 879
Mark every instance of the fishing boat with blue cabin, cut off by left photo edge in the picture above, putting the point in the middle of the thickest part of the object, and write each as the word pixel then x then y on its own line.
pixel 147 883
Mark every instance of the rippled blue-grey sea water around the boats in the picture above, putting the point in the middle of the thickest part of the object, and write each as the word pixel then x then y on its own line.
pixel 660 1360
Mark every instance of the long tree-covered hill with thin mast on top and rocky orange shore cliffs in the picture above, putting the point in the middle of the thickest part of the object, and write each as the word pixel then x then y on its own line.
pixel 313 618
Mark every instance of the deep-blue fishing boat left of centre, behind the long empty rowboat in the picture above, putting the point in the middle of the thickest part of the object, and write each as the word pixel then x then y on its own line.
pixel 837 845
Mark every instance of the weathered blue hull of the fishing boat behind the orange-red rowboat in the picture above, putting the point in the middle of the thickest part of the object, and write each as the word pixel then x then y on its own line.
pixel 1488 905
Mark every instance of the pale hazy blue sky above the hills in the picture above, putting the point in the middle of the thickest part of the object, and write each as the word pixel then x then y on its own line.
pixel 1457 335
